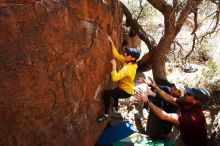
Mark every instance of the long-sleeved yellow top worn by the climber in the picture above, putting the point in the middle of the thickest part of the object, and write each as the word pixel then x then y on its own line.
pixel 126 75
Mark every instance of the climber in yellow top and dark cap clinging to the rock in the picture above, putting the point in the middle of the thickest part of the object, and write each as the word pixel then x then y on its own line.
pixel 125 77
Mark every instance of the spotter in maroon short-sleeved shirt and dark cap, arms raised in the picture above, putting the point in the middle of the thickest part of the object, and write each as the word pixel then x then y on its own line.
pixel 191 120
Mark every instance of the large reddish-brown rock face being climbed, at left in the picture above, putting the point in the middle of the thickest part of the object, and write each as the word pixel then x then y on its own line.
pixel 54 64
